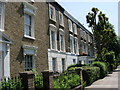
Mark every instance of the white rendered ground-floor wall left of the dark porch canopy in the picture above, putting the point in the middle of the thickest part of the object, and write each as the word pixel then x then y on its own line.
pixel 59 56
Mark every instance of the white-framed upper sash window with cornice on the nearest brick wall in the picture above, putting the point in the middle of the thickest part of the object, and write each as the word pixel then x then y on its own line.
pixel 29 13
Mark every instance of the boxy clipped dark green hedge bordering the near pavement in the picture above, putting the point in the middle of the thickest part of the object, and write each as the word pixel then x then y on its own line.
pixel 90 74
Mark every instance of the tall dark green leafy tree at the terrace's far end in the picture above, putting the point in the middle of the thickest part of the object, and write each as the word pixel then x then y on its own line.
pixel 105 38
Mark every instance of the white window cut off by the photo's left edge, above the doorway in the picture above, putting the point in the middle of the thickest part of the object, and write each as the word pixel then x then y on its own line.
pixel 2 7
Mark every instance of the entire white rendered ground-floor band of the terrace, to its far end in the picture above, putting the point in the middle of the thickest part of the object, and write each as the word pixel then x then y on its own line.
pixel 68 59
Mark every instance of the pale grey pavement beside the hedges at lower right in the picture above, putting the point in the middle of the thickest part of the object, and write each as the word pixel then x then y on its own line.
pixel 110 82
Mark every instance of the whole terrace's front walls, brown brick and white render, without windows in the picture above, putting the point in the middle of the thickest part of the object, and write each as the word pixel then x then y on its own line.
pixel 14 29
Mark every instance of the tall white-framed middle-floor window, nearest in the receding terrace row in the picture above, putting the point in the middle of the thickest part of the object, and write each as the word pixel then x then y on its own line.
pixel 53 37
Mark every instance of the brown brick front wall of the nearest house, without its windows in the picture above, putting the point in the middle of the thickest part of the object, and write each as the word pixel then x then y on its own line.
pixel 14 28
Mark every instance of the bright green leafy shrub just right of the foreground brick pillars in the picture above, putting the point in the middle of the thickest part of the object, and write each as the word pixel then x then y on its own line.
pixel 67 81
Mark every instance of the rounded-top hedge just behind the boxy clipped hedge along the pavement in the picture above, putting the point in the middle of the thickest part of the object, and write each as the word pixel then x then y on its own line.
pixel 102 66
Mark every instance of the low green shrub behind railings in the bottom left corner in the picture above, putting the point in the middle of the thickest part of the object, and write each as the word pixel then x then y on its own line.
pixel 11 84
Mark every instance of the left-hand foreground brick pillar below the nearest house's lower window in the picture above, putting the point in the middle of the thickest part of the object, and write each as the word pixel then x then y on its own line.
pixel 27 80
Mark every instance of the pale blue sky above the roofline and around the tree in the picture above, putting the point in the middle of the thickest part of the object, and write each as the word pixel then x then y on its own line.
pixel 79 10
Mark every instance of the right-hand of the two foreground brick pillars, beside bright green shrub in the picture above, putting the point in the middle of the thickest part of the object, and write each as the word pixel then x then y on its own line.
pixel 47 79
